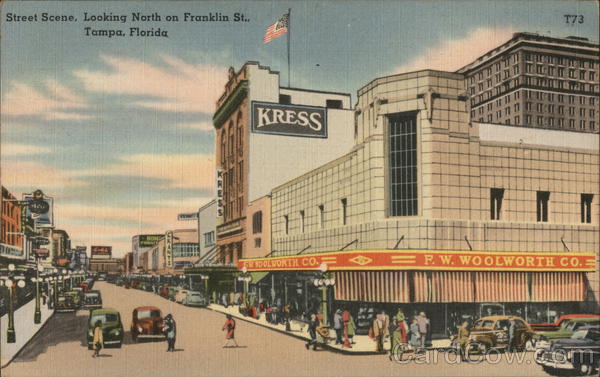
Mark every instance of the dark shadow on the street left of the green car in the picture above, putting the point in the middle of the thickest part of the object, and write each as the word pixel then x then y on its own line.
pixel 61 327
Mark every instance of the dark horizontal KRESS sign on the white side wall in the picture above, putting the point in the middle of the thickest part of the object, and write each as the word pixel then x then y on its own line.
pixel 289 120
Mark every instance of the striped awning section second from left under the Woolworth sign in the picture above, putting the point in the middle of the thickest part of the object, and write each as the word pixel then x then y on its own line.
pixel 443 286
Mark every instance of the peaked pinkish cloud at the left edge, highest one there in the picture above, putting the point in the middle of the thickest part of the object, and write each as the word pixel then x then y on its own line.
pixel 56 102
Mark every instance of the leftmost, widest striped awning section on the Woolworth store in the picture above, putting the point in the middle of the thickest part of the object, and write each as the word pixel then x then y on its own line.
pixel 372 286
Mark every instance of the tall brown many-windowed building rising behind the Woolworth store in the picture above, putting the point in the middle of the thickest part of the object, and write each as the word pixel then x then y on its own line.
pixel 536 81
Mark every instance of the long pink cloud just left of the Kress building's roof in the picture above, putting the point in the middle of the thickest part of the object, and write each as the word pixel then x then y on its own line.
pixel 178 87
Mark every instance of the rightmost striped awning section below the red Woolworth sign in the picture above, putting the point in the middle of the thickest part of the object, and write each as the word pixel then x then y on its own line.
pixel 557 286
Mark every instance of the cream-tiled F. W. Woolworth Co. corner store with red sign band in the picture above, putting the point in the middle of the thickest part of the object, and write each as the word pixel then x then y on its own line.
pixel 432 212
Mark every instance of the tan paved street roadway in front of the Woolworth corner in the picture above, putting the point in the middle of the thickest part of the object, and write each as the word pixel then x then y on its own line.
pixel 60 349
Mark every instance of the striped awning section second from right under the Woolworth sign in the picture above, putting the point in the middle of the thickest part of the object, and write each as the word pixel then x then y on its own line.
pixel 501 287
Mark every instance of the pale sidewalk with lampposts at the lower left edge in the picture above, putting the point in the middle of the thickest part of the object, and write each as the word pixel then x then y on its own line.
pixel 25 329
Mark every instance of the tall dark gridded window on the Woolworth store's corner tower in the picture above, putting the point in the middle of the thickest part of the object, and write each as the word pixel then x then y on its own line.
pixel 403 165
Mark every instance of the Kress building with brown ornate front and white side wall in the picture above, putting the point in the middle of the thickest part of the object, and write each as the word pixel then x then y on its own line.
pixel 264 134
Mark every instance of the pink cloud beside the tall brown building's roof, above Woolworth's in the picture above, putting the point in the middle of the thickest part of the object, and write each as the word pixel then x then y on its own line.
pixel 453 54
